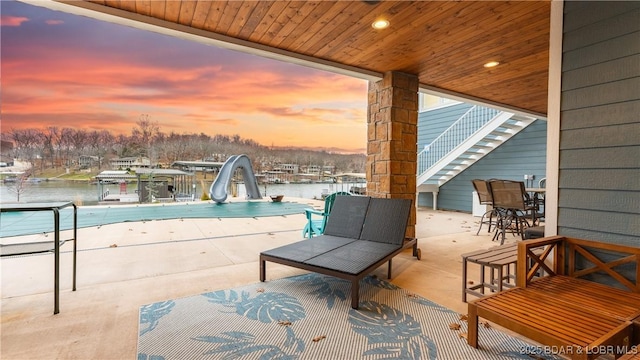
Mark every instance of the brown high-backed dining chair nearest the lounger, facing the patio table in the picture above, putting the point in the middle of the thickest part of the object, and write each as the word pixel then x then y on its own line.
pixel 513 207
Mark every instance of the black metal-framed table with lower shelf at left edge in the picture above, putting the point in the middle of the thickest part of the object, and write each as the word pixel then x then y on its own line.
pixel 40 247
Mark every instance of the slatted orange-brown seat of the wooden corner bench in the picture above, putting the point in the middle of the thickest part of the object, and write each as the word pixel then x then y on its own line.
pixel 571 310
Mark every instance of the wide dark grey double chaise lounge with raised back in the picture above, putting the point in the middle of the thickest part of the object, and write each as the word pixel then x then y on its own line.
pixel 361 234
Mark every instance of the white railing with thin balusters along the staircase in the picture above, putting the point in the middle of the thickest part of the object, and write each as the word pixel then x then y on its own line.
pixel 474 119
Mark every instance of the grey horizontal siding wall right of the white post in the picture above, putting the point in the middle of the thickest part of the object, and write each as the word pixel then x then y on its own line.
pixel 599 174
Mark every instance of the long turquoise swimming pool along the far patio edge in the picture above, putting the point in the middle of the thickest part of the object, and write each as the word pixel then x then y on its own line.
pixel 26 223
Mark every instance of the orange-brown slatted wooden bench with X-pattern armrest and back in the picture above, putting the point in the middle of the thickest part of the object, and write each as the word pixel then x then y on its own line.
pixel 580 318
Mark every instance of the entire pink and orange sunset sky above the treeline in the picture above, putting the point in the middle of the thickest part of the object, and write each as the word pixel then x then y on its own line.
pixel 65 70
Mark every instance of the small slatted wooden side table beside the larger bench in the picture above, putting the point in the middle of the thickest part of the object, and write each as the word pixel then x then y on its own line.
pixel 498 260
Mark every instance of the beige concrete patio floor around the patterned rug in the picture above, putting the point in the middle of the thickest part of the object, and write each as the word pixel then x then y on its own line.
pixel 123 266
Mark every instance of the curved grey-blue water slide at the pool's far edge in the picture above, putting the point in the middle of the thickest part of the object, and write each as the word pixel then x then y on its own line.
pixel 219 189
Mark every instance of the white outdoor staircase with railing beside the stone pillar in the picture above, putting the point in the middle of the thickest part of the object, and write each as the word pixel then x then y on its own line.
pixel 468 140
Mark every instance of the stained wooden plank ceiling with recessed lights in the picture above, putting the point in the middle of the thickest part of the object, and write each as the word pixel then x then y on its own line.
pixel 445 43
